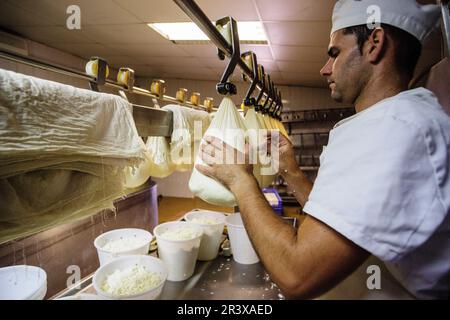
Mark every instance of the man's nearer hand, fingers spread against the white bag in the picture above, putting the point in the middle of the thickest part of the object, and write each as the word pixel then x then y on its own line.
pixel 224 163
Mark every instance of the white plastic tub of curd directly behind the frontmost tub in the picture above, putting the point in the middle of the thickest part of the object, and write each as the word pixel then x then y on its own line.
pixel 106 256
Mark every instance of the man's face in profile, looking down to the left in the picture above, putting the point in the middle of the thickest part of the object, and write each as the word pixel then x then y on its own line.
pixel 345 70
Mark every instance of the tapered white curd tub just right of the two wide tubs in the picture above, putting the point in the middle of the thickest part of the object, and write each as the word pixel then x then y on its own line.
pixel 179 255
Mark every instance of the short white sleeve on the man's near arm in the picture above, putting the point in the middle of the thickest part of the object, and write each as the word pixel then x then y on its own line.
pixel 377 186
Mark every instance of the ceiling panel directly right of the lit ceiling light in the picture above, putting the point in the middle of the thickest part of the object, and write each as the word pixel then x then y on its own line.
pixel 298 33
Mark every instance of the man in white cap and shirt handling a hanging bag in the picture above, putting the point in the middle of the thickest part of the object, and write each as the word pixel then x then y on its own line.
pixel 383 187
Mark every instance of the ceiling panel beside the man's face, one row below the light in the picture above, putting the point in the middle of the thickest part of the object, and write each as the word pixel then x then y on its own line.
pixel 301 54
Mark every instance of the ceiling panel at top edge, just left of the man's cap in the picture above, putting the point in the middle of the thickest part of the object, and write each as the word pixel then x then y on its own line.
pixel 295 10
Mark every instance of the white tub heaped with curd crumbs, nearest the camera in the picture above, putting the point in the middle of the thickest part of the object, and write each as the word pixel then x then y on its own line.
pixel 152 264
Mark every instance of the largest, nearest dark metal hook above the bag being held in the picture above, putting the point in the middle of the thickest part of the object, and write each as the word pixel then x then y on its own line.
pixel 224 87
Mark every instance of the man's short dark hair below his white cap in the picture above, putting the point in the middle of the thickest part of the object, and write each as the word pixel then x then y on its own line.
pixel 407 47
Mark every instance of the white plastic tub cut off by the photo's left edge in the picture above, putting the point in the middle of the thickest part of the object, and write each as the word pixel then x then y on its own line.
pixel 23 283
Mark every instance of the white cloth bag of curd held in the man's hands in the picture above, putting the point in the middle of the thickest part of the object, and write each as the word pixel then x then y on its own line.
pixel 229 127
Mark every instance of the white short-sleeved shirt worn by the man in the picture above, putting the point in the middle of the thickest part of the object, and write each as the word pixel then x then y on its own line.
pixel 384 183
